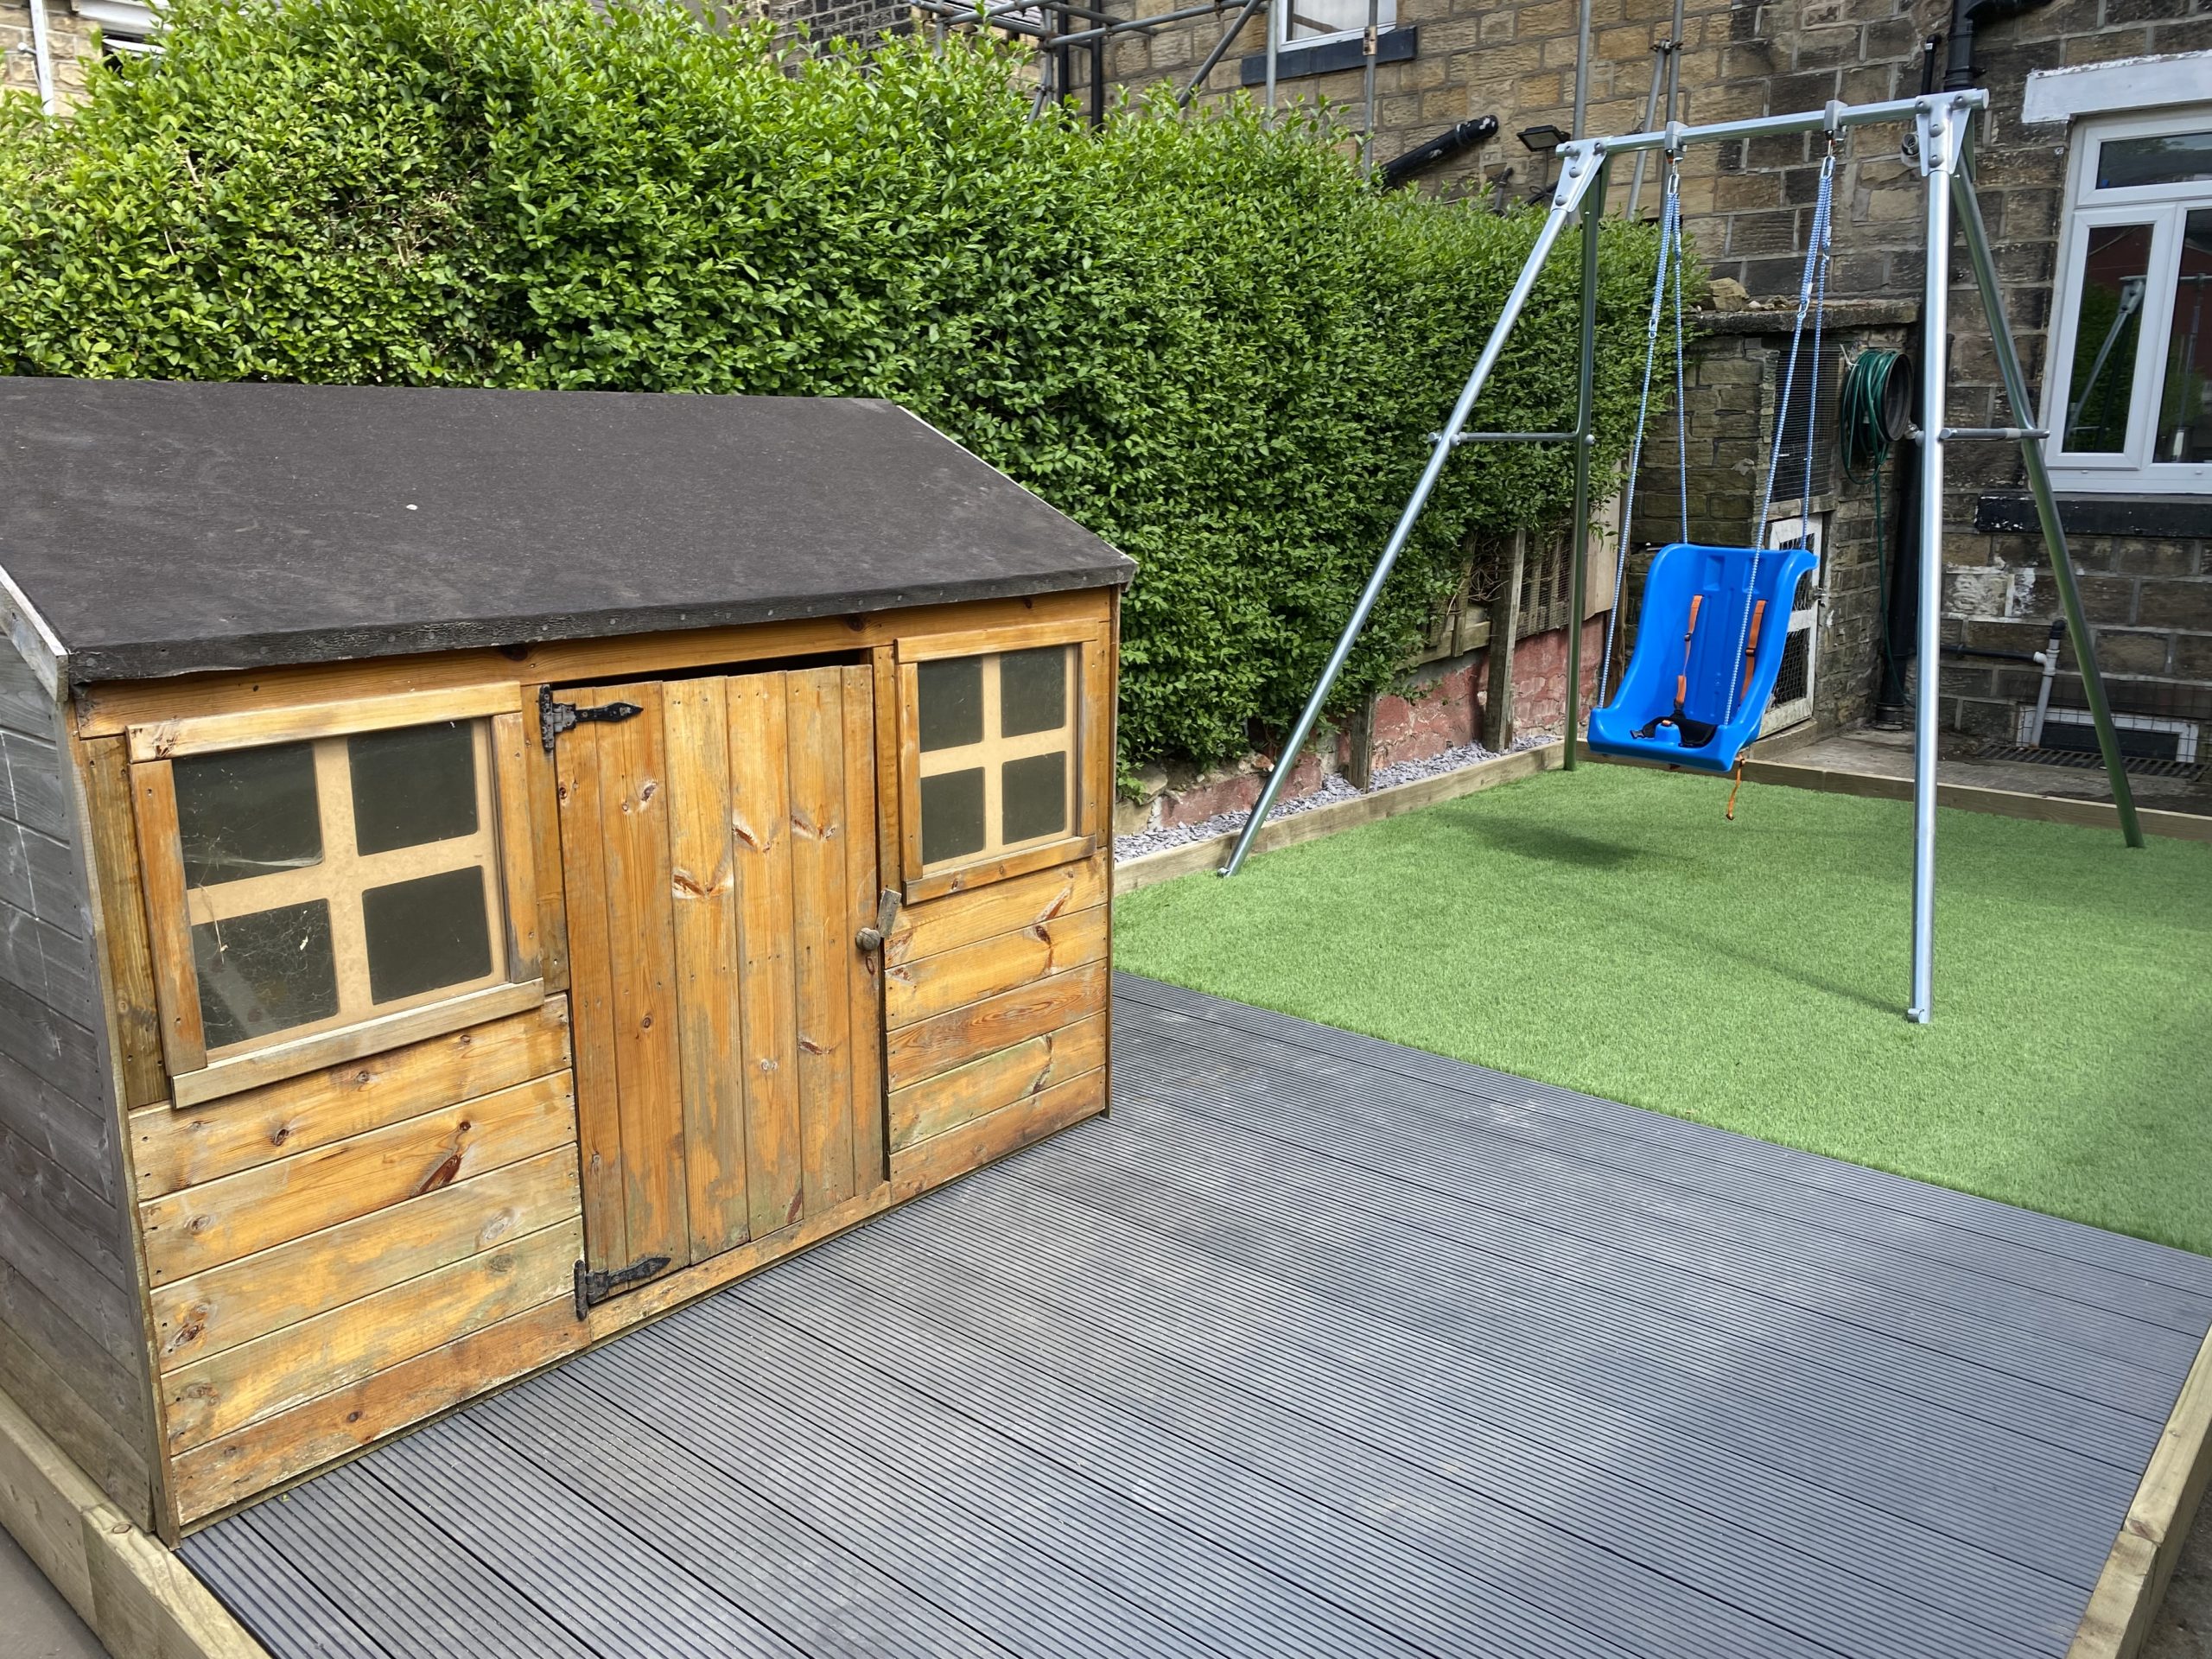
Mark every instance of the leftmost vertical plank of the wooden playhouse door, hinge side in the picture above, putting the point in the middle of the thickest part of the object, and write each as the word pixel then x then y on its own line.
pixel 592 990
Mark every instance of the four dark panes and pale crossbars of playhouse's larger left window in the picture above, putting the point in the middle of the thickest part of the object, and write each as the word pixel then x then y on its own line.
pixel 340 879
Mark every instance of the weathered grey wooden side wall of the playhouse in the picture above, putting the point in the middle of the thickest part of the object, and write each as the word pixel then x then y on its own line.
pixel 72 1313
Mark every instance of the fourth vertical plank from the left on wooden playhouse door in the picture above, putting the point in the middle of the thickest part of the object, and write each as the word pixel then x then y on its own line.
pixel 760 817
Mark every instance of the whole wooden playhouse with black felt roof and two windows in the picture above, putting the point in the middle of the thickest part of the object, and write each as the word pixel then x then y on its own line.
pixel 486 868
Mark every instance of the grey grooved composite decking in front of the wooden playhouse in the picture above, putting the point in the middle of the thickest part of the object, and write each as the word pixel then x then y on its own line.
pixel 1315 1348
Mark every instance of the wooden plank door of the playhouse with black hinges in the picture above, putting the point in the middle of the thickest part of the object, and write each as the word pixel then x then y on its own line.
pixel 720 859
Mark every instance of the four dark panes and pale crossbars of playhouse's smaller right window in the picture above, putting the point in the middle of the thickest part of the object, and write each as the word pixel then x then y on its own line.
pixel 997 753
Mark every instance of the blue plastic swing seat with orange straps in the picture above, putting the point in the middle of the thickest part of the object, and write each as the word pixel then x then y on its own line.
pixel 1702 662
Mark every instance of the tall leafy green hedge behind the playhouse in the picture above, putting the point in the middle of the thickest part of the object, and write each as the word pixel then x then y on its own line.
pixel 1202 337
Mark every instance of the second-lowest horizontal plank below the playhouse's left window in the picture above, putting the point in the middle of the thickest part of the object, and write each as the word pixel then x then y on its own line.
pixel 351 1344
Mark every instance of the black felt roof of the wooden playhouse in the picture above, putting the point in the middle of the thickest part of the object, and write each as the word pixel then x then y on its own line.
pixel 165 528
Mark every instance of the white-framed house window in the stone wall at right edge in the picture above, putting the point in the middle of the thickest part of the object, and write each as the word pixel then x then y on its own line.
pixel 2129 388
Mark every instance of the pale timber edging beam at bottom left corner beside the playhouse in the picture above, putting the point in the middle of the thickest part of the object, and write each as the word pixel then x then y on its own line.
pixel 129 1589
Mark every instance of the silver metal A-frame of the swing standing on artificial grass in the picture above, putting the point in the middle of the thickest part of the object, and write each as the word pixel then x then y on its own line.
pixel 1943 132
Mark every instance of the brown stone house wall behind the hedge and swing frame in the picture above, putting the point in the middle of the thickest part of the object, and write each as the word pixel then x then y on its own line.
pixel 1751 211
